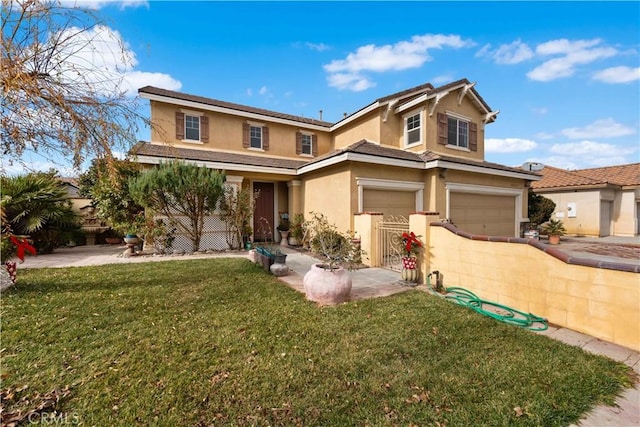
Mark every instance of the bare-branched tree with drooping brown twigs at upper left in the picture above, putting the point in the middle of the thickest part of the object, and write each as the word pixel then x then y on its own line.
pixel 62 88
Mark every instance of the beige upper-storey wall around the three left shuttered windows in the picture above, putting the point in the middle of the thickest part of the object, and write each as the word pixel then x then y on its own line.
pixel 225 133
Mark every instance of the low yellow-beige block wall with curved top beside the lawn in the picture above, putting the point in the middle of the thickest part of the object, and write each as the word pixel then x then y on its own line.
pixel 601 302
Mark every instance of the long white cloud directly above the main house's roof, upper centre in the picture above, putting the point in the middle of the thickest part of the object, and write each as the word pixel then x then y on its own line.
pixel 347 73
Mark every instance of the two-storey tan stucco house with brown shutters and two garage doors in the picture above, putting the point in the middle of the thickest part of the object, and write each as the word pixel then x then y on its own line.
pixel 421 149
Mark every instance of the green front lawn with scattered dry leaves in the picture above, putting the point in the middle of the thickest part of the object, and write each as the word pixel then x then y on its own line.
pixel 220 342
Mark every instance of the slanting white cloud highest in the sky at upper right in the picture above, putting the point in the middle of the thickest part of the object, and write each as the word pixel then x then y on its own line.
pixel 572 54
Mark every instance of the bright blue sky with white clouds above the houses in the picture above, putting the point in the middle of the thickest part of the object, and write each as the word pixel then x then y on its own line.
pixel 565 76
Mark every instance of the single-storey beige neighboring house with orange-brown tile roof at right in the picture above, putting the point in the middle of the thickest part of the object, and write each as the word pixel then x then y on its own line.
pixel 594 202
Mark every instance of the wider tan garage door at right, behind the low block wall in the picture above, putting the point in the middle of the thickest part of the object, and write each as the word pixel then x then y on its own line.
pixel 483 214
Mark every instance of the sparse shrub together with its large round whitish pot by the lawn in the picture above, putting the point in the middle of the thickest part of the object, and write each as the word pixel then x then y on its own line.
pixel 329 282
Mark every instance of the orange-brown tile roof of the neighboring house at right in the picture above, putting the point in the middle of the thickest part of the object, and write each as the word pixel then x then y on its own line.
pixel 623 175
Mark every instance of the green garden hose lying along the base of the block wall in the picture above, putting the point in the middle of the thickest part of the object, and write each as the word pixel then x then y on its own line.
pixel 502 313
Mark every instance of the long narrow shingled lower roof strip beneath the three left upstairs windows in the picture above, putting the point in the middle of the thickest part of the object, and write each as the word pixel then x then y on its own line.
pixel 171 152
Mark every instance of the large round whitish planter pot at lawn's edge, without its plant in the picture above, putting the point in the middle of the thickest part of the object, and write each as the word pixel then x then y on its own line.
pixel 327 287
